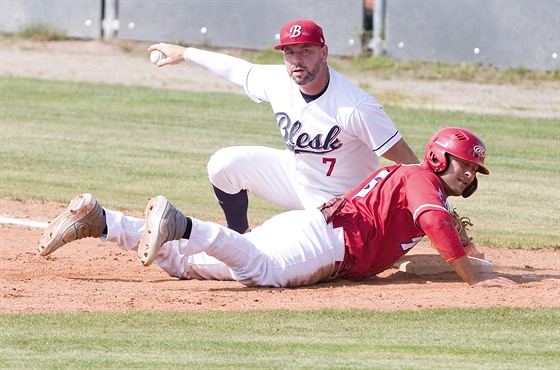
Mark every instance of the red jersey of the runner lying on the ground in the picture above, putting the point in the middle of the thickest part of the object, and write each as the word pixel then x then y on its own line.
pixel 380 218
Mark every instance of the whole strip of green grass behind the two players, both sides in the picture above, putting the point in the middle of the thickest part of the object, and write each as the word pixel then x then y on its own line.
pixel 127 144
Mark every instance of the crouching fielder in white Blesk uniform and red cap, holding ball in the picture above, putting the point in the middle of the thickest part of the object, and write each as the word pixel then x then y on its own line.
pixel 334 131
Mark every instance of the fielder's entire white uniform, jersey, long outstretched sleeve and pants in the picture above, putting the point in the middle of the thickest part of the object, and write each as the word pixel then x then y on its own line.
pixel 336 140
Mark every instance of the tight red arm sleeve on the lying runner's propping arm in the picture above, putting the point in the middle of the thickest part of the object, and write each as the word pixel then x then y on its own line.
pixel 440 228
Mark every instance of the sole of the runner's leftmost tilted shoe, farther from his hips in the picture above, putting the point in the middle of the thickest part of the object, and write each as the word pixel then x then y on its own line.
pixel 53 236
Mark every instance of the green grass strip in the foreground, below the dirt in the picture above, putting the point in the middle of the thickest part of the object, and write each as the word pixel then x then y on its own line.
pixel 500 338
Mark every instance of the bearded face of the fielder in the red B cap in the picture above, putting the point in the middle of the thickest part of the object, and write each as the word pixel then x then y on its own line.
pixel 304 62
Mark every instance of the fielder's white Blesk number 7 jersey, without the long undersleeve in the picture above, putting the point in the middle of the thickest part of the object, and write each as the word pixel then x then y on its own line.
pixel 336 139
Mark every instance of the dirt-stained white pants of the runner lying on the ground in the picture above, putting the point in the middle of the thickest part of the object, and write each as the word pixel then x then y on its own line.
pixel 295 248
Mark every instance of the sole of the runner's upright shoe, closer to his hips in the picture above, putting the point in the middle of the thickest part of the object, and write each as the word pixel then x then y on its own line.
pixel 155 232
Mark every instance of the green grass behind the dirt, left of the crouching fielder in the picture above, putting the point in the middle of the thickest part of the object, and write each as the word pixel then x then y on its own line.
pixel 125 145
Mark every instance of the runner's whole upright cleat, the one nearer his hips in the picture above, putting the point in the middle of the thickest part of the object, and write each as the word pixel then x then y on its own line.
pixel 163 223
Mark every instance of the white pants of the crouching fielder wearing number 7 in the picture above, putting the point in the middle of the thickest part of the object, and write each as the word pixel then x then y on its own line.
pixel 266 172
